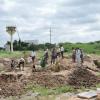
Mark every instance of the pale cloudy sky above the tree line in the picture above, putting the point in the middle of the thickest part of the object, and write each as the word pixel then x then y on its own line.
pixel 70 20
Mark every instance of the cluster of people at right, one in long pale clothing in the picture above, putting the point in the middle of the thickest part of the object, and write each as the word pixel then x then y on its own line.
pixel 77 56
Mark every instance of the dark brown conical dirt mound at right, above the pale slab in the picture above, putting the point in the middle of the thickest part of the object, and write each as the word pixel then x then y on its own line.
pixel 82 77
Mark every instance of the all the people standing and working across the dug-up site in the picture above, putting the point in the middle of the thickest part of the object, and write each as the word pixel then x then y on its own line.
pixel 54 54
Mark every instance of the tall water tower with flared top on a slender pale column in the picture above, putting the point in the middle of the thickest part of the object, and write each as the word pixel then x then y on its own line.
pixel 11 30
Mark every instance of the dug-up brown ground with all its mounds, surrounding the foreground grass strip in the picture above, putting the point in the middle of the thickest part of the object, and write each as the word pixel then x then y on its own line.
pixel 14 84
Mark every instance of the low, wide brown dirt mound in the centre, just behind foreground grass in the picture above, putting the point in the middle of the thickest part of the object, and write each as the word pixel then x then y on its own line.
pixel 47 80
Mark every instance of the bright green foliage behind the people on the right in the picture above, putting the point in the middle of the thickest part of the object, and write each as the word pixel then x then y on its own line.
pixel 87 47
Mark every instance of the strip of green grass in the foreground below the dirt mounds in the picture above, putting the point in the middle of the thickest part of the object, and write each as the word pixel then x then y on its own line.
pixel 52 91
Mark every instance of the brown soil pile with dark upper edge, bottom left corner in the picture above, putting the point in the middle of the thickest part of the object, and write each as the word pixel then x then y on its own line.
pixel 10 85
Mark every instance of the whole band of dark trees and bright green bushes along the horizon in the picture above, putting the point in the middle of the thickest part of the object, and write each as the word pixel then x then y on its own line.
pixel 91 47
